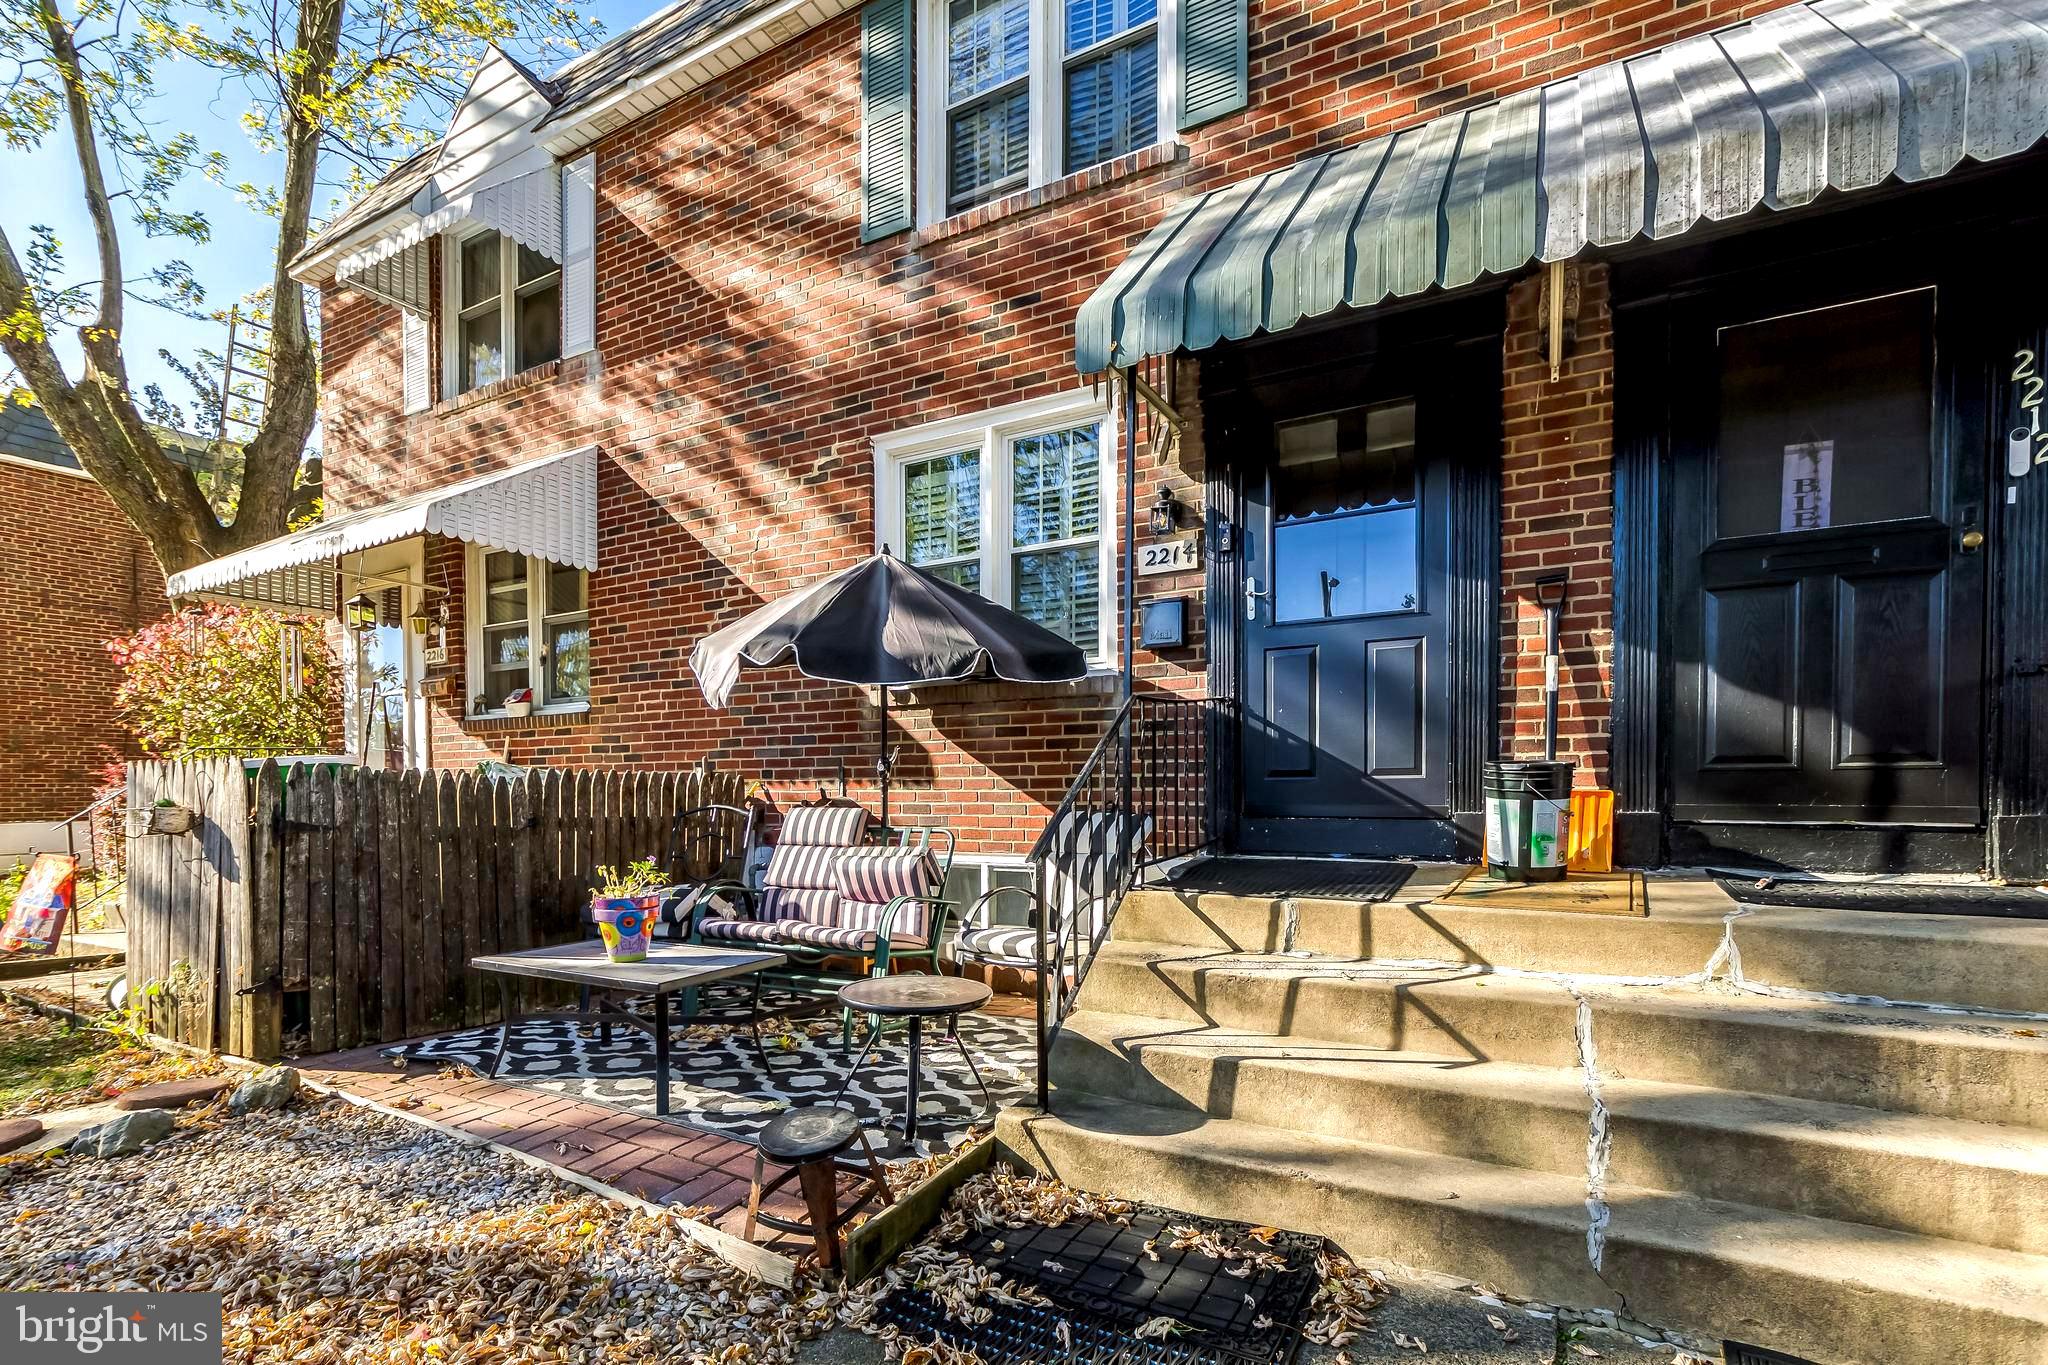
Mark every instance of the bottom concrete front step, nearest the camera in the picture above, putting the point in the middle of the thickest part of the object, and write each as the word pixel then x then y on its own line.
pixel 1824 1290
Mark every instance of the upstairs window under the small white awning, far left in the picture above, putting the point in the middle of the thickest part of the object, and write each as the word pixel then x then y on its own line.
pixel 505 310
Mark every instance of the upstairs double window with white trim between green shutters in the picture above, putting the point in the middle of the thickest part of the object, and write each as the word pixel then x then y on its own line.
pixel 1019 93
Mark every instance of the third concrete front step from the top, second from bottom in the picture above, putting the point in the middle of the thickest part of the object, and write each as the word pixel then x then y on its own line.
pixel 1940 1178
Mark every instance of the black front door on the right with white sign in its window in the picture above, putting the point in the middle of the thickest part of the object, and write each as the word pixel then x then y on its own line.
pixel 1828 592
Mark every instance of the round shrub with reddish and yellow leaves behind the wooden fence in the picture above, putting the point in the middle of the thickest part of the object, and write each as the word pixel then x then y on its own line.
pixel 210 685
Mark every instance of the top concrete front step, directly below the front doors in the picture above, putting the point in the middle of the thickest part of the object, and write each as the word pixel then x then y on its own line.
pixel 1928 959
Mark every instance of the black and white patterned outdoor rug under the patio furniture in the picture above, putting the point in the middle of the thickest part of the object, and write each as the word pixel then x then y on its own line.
pixel 718 1084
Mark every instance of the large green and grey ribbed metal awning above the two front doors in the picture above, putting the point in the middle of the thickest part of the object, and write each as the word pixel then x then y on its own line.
pixel 1830 95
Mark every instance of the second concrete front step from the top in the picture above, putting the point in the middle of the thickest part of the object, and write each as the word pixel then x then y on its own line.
pixel 1871 1057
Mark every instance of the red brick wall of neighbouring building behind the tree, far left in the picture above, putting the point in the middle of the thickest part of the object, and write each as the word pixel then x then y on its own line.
pixel 73 576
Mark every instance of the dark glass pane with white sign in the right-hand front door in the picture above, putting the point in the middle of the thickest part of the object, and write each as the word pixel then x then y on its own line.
pixel 1828 419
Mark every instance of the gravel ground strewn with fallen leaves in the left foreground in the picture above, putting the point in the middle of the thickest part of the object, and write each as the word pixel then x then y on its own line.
pixel 343 1235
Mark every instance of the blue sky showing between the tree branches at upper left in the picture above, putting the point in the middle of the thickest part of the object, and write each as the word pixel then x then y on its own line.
pixel 42 187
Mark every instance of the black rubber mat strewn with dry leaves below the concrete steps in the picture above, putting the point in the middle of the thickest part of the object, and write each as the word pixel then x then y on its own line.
pixel 1111 1280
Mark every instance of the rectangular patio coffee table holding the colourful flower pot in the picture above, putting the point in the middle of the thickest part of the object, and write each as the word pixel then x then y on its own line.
pixel 669 969
